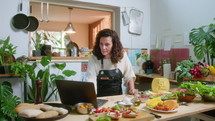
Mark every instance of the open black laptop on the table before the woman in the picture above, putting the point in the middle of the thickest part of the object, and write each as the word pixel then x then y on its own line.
pixel 73 92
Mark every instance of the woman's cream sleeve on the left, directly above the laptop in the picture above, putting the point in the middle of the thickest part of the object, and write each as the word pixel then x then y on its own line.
pixel 91 71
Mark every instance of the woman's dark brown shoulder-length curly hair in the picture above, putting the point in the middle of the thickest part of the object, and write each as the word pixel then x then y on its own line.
pixel 117 49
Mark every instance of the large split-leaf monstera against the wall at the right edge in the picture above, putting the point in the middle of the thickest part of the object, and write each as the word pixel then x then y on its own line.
pixel 203 40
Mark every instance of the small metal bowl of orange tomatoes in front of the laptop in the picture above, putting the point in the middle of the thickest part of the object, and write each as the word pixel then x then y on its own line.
pixel 84 108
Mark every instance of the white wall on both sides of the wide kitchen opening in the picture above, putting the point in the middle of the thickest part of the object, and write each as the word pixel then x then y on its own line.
pixel 129 41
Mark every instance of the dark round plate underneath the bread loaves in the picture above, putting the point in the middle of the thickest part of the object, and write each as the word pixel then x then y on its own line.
pixel 52 118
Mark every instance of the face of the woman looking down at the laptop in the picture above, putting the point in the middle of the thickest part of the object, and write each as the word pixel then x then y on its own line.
pixel 106 45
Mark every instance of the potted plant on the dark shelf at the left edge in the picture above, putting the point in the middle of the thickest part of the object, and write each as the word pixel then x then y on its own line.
pixel 7 51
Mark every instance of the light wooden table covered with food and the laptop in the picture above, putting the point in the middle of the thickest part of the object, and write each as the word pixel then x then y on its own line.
pixel 197 106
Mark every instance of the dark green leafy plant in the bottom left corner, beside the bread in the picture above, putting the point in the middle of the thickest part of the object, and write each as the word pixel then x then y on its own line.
pixel 8 102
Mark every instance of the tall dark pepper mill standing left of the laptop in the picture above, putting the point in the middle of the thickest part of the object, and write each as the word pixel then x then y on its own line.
pixel 38 97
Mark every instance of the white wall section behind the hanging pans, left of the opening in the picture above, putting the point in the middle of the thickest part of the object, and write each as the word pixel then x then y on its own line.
pixel 9 8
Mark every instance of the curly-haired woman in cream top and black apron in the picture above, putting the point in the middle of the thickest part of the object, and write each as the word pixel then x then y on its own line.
pixel 109 64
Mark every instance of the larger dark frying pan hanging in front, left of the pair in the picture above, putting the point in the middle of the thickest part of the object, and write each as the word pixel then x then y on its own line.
pixel 20 20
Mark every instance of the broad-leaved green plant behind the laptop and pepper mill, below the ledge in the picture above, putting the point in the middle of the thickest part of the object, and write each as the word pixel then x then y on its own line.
pixel 42 71
